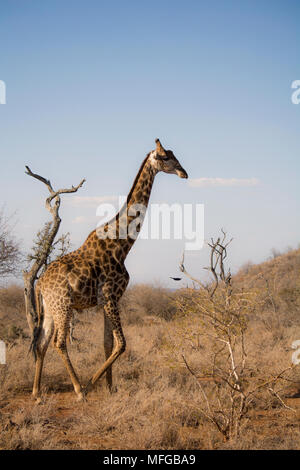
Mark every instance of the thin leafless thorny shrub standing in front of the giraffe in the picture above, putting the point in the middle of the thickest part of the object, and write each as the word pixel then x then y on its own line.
pixel 227 390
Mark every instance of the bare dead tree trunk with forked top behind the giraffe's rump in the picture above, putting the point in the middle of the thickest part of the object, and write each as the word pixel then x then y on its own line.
pixel 30 275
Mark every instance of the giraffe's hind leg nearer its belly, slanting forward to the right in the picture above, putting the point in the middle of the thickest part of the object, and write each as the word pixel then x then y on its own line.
pixel 62 326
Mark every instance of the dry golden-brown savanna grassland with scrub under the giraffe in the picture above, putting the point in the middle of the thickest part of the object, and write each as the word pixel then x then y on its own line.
pixel 158 402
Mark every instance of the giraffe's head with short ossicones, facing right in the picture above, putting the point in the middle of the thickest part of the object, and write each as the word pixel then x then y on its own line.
pixel 165 160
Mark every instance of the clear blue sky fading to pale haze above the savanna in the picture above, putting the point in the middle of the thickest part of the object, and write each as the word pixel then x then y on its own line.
pixel 91 84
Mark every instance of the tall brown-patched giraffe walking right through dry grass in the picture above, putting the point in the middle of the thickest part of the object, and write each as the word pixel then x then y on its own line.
pixel 95 274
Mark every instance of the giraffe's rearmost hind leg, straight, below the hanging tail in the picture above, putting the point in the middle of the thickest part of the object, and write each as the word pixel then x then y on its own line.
pixel 41 349
